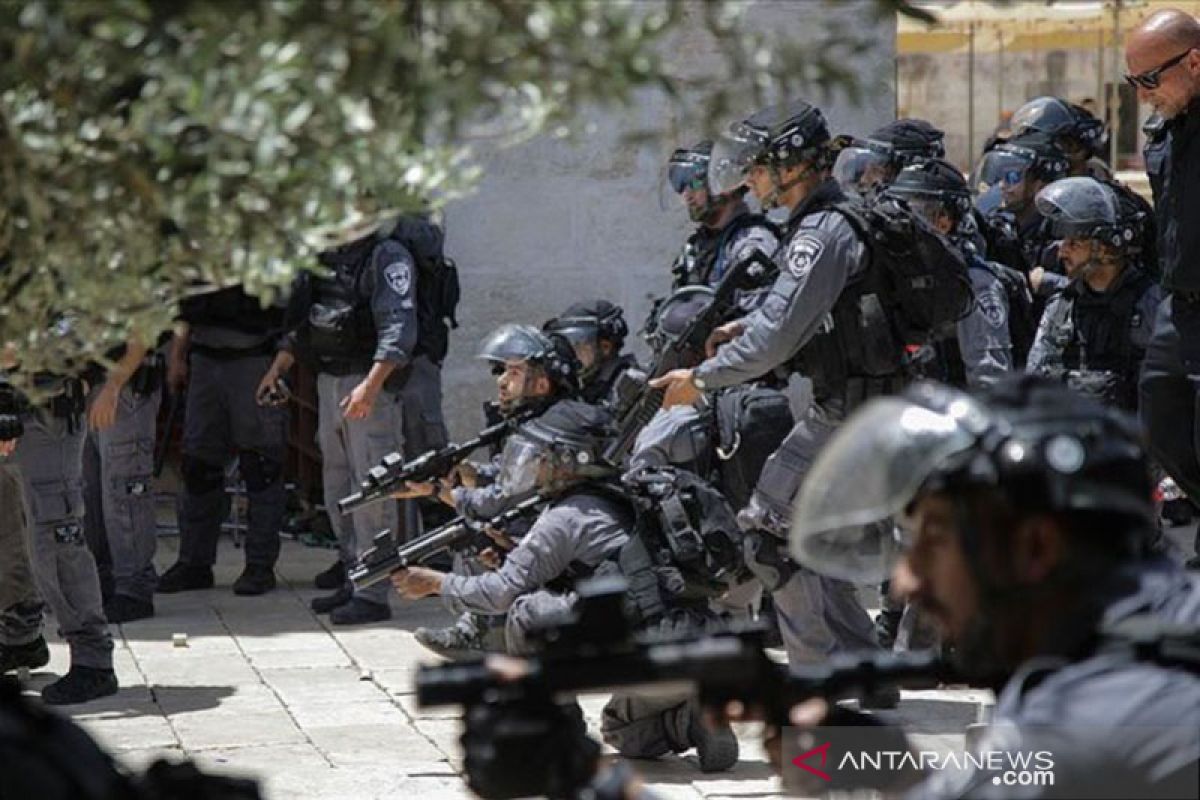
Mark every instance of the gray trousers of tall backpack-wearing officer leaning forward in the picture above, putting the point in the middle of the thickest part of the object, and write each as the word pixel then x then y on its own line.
pixel 818 616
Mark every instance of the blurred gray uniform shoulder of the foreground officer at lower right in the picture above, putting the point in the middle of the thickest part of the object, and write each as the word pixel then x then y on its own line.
pixel 1115 726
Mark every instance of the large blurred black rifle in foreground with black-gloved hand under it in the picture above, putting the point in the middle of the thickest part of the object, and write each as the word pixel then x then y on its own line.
pixel 514 711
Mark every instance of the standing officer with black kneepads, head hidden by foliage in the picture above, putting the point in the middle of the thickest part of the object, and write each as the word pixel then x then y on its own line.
pixel 221 348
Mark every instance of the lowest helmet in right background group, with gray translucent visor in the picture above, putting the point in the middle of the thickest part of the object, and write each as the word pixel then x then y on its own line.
pixel 1087 209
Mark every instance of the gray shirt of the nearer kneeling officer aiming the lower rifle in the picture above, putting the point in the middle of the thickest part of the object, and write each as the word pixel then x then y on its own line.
pixel 578 533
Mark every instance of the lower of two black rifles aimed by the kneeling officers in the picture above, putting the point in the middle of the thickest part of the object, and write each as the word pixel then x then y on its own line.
pixel 386 557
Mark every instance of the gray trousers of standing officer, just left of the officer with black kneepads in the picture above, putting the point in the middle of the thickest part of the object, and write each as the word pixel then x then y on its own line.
pixel 118 466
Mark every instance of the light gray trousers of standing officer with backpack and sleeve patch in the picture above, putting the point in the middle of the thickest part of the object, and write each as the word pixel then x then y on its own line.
pixel 349 449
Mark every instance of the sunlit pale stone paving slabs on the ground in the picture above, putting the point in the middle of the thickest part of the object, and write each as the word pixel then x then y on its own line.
pixel 265 688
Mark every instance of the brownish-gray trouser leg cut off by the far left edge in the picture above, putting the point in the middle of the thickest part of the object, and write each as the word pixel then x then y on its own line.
pixel 21 607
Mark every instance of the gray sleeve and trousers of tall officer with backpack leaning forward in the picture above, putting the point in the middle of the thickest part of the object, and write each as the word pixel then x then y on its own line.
pixel 818 616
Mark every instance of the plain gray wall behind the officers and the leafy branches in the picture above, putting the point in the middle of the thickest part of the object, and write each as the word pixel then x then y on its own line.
pixel 557 221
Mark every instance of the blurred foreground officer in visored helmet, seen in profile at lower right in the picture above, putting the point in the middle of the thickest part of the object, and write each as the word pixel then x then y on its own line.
pixel 1025 516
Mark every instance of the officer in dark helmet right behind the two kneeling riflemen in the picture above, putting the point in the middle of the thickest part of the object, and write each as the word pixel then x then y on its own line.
pixel 597 332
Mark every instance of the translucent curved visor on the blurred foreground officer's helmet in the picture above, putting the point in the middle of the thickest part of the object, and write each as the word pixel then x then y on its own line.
pixel 872 471
